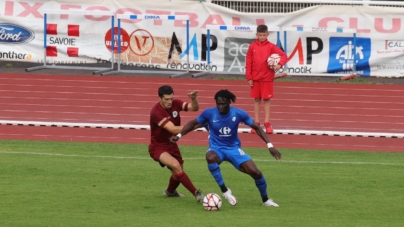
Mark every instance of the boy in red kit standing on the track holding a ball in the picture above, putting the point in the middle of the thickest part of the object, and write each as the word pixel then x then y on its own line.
pixel 260 76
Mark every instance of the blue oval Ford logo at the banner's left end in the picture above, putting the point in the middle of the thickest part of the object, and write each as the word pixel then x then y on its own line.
pixel 15 34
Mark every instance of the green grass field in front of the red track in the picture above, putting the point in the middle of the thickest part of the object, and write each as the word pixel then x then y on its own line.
pixel 105 184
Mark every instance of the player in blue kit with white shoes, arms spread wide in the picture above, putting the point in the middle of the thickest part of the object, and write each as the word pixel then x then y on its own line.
pixel 222 124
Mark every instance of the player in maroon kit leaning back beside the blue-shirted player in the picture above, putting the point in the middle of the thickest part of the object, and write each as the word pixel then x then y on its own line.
pixel 165 121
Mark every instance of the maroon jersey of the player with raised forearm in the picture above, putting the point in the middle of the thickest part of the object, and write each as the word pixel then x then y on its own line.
pixel 160 138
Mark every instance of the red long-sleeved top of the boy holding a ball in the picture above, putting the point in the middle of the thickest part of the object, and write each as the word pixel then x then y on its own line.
pixel 256 60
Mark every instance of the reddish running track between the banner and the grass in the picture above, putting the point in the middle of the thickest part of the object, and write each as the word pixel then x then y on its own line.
pixel 128 100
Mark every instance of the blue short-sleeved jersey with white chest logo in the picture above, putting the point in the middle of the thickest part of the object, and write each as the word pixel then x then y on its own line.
pixel 223 128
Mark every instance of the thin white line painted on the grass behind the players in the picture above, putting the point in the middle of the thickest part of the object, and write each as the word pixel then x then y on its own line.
pixel 147 158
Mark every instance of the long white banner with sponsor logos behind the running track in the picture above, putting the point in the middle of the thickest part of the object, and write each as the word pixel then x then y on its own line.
pixel 158 38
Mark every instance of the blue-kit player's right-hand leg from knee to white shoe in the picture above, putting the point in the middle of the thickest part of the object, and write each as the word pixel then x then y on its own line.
pixel 251 169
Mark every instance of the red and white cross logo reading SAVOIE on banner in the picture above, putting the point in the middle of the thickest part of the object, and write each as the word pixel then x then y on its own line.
pixel 56 41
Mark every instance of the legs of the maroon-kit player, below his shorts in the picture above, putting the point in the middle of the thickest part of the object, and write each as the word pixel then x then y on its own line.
pixel 178 174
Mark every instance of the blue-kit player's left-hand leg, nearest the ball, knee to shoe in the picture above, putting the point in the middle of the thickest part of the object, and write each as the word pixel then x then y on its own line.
pixel 214 160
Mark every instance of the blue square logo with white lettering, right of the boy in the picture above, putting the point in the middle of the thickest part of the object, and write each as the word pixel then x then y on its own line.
pixel 341 59
